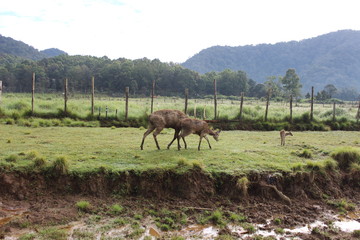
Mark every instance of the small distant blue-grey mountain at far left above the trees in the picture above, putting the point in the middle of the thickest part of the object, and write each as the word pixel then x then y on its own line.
pixel 17 48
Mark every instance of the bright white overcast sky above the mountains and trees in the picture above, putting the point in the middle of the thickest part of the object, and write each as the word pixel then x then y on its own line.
pixel 169 30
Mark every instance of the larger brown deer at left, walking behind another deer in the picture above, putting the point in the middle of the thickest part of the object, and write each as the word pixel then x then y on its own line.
pixel 164 119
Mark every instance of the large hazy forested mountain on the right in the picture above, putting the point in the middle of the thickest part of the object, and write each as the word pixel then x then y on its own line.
pixel 332 58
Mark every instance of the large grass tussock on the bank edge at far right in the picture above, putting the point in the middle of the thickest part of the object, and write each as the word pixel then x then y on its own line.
pixel 346 156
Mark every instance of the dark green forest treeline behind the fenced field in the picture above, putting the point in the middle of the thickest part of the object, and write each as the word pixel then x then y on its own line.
pixel 112 76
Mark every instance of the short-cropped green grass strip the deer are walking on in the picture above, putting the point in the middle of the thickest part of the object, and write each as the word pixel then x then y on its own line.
pixel 87 149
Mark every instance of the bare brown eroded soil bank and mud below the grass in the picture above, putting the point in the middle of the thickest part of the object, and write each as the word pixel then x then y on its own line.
pixel 296 198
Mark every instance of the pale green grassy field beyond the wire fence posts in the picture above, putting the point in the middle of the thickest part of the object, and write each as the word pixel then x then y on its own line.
pixel 80 105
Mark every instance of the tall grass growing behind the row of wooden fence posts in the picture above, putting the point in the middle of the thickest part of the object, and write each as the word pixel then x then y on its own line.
pixel 51 106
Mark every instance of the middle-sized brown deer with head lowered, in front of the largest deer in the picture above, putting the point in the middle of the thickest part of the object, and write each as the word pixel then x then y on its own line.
pixel 198 127
